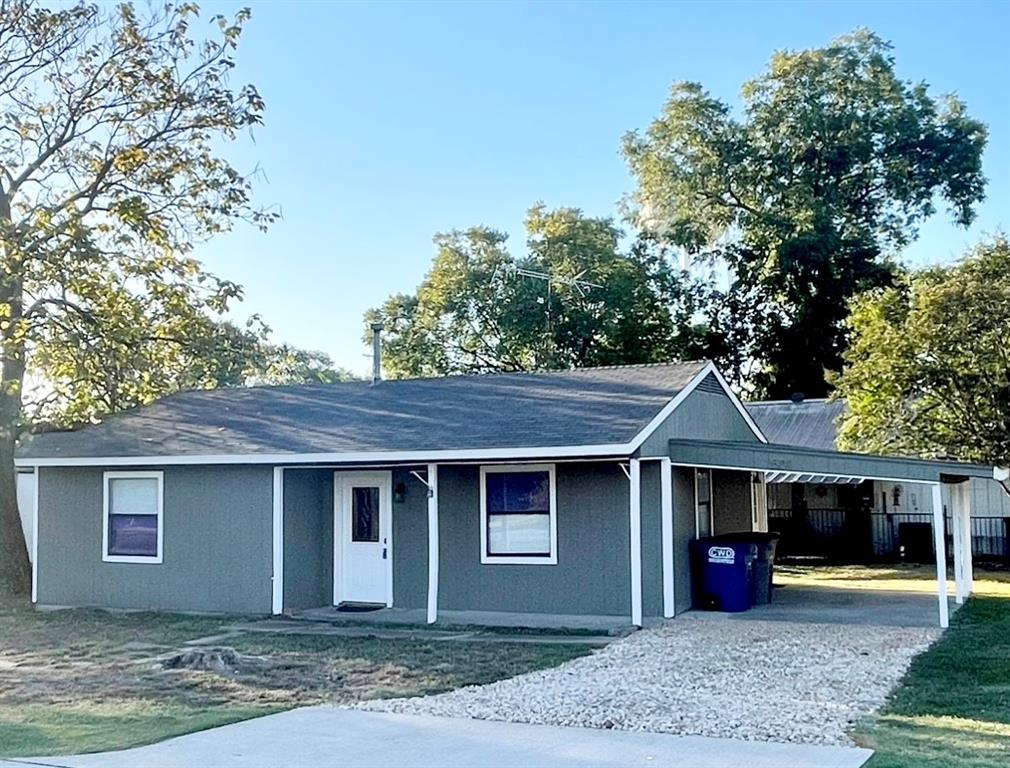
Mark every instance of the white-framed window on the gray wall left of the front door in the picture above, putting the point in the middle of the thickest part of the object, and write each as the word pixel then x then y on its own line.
pixel 133 518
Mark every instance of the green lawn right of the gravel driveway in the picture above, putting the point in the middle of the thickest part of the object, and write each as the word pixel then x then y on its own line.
pixel 953 708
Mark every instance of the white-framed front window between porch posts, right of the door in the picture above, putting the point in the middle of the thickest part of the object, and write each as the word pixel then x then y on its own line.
pixel 519 515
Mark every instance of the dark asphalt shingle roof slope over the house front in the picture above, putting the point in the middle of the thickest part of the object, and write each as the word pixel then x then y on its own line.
pixel 581 408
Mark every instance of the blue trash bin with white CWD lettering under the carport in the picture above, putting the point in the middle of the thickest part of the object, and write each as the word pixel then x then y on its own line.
pixel 724 573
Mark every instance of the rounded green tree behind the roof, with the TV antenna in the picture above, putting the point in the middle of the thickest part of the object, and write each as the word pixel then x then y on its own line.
pixel 575 300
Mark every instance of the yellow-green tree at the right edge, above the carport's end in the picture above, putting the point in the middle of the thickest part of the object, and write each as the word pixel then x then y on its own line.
pixel 929 371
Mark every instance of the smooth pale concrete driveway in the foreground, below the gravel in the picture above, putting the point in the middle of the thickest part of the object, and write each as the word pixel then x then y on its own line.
pixel 325 736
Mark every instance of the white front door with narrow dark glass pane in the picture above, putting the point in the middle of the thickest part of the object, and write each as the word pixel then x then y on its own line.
pixel 363 552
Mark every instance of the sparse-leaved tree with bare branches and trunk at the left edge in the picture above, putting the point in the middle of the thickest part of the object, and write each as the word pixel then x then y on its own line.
pixel 111 173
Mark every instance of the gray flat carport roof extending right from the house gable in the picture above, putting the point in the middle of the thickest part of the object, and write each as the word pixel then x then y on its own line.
pixel 809 461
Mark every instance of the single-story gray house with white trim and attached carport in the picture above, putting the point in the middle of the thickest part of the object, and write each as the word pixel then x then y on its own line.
pixel 562 494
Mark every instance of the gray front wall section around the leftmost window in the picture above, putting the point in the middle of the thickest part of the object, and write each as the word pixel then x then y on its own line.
pixel 217 550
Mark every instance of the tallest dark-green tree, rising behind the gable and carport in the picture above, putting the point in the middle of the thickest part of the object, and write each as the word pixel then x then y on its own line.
pixel 809 194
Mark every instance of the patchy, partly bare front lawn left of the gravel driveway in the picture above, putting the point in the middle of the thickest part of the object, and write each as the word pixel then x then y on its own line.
pixel 86 681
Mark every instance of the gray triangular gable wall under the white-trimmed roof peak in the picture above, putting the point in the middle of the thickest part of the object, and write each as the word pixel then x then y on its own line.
pixel 702 416
